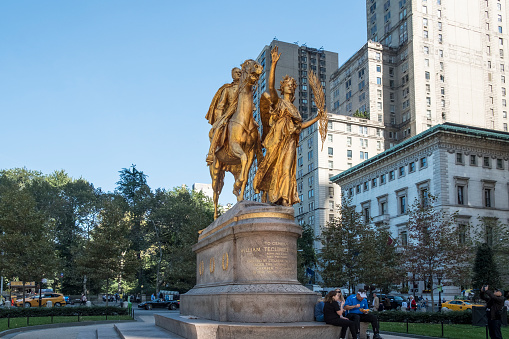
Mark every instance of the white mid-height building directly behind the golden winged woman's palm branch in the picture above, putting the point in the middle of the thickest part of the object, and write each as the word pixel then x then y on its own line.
pixel 349 141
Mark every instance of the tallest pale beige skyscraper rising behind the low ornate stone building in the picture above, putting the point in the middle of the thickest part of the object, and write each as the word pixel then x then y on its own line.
pixel 440 61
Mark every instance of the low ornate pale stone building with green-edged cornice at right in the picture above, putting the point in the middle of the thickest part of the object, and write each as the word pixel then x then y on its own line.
pixel 466 168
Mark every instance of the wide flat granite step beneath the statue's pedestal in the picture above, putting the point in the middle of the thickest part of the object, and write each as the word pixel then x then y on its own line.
pixel 209 329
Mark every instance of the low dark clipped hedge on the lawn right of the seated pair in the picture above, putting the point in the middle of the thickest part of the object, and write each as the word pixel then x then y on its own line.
pixel 456 317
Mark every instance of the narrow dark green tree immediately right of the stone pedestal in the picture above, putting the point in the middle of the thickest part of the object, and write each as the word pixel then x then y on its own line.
pixel 306 255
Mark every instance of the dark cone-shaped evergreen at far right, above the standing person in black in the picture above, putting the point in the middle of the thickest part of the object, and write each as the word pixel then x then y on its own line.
pixel 485 271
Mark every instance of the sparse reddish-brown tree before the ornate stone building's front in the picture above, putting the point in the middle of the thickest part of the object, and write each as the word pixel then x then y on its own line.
pixel 433 250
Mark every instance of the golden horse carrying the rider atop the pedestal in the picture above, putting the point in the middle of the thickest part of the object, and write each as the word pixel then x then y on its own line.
pixel 235 136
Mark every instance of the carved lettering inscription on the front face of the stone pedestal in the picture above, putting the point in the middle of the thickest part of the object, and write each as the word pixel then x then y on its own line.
pixel 271 257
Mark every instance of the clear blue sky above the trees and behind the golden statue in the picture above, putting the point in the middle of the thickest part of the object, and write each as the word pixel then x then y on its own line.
pixel 92 86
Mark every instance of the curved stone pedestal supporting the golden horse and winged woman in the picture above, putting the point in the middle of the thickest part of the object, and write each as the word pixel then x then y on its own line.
pixel 247 268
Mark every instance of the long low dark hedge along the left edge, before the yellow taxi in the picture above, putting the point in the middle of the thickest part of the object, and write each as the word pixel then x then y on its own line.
pixel 18 312
